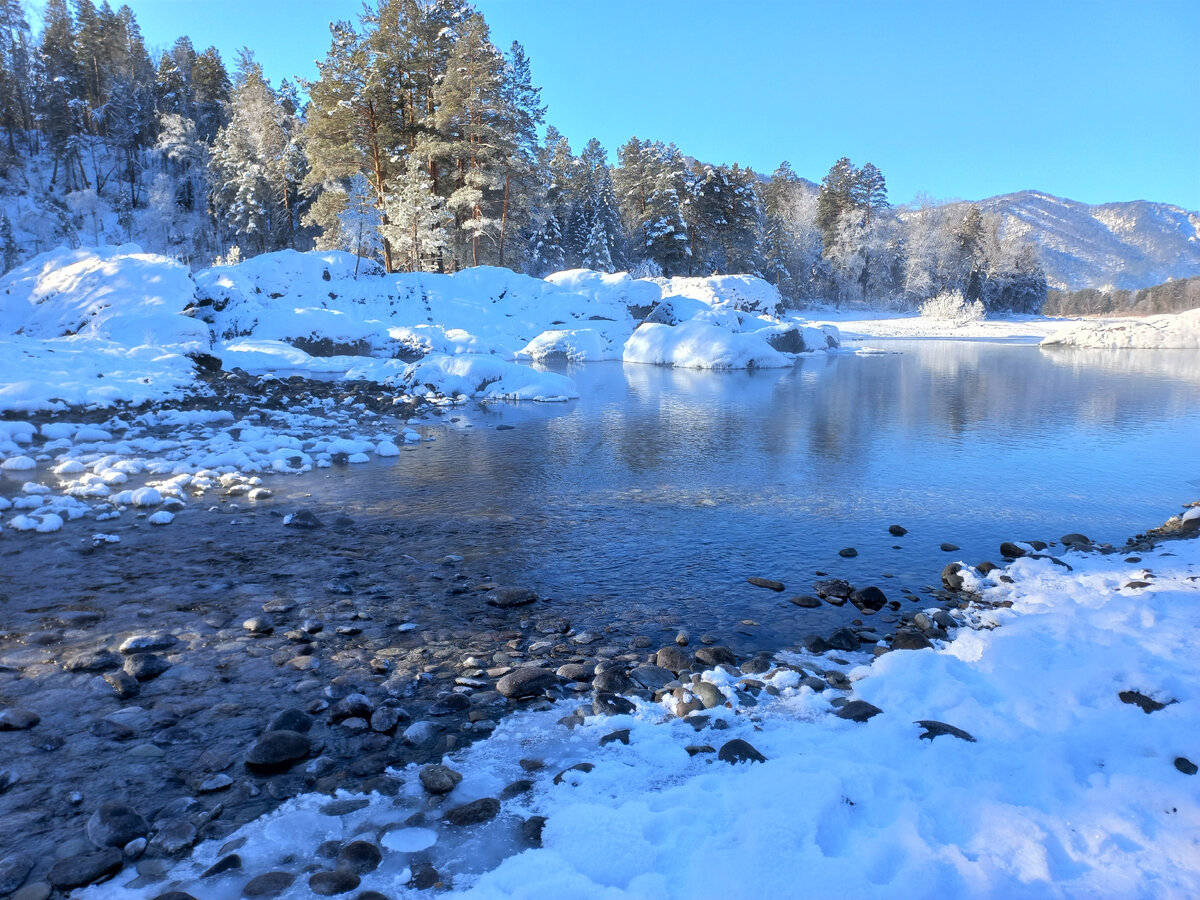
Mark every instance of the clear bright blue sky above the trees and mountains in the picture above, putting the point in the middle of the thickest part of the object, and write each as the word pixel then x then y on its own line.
pixel 1093 100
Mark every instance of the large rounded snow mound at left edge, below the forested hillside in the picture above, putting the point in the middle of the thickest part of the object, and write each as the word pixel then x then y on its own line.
pixel 118 295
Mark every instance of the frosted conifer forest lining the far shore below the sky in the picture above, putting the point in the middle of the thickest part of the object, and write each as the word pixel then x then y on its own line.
pixel 421 145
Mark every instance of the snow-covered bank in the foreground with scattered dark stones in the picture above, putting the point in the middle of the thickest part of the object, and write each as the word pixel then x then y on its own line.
pixel 1065 793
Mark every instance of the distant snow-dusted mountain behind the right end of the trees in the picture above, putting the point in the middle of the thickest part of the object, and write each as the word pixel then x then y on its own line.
pixel 1112 245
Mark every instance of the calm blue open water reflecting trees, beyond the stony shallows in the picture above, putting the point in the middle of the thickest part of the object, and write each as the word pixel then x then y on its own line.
pixel 661 491
